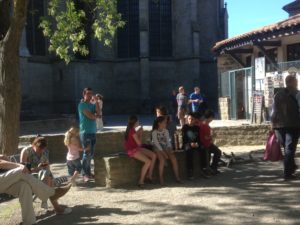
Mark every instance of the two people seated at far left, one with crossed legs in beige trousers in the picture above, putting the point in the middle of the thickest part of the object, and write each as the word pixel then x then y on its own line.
pixel 32 176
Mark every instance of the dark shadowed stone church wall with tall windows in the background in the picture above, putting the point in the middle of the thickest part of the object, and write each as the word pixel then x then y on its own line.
pixel 165 44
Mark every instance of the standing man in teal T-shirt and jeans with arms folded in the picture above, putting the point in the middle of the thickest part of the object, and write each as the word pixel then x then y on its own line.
pixel 88 113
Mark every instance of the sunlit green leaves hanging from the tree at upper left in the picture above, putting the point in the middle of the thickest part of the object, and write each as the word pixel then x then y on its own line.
pixel 65 25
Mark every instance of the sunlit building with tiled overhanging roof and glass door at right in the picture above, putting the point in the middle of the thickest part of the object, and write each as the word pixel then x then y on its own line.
pixel 255 61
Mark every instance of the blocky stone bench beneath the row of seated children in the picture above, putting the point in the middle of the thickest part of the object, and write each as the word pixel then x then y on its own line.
pixel 119 171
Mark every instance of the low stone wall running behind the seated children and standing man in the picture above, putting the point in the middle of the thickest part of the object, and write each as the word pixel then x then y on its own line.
pixel 112 142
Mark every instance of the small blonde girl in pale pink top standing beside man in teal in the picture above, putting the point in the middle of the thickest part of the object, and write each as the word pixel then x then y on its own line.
pixel 72 142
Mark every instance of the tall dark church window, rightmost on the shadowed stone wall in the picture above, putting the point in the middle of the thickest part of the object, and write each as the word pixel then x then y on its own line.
pixel 160 28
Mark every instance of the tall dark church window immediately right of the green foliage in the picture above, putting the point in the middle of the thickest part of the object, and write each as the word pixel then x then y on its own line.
pixel 129 35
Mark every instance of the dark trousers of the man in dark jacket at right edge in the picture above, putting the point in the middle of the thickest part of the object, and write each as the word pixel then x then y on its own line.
pixel 288 137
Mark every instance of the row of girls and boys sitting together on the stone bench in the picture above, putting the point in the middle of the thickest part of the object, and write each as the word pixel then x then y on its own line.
pixel 196 139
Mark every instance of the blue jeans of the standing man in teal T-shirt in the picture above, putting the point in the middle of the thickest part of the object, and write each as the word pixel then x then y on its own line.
pixel 87 140
